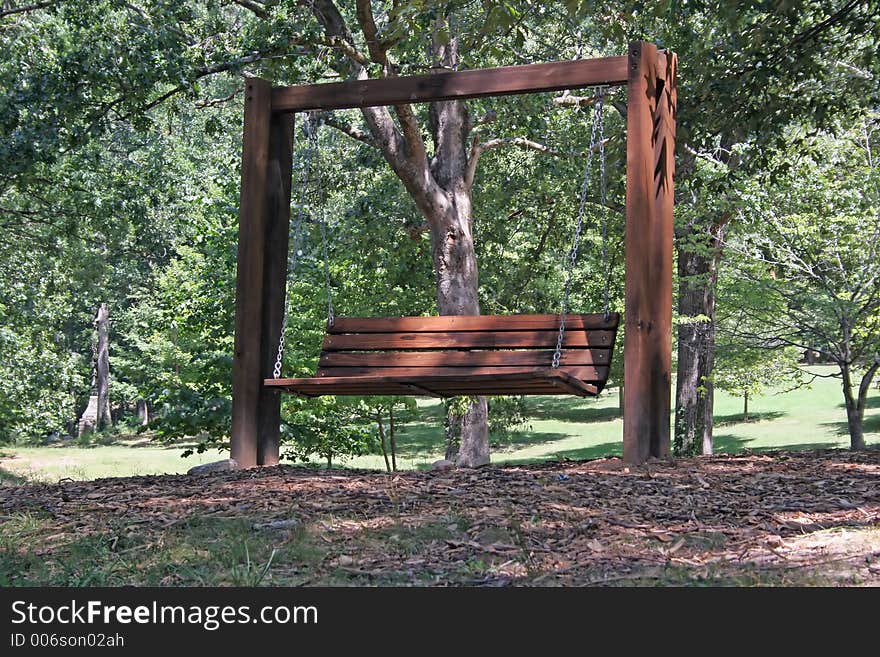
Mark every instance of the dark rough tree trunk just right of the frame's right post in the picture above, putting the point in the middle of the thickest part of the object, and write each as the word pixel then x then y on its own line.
pixel 694 394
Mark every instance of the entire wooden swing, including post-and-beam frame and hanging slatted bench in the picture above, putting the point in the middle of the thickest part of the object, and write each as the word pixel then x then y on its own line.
pixel 489 355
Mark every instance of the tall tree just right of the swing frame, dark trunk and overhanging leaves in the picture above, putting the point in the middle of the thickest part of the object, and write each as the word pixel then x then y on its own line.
pixel 744 86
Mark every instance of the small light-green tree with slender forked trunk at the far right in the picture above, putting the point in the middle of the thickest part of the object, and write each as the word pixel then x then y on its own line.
pixel 812 252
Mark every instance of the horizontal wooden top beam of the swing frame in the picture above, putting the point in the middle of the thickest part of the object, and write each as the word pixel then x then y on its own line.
pixel 450 85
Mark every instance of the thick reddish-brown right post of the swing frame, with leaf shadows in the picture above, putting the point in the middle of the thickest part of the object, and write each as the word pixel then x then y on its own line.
pixel 649 200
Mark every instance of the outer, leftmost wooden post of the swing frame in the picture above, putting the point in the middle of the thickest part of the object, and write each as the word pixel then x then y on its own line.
pixel 247 365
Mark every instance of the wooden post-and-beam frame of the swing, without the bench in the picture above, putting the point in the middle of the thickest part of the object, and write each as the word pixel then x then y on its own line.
pixel 264 215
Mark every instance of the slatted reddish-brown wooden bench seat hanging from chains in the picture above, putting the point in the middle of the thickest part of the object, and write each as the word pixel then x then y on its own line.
pixel 461 355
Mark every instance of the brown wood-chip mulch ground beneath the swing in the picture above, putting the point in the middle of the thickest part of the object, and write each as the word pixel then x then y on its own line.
pixel 776 518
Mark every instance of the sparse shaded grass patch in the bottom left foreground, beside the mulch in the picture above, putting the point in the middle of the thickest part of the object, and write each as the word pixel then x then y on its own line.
pixel 198 552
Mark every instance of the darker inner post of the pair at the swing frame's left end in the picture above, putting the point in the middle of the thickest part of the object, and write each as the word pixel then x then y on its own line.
pixel 275 279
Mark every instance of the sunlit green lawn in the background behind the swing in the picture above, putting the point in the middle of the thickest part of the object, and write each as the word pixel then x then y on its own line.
pixel 560 427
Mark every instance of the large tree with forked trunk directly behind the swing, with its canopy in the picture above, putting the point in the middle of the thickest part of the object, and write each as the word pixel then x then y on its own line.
pixel 282 40
